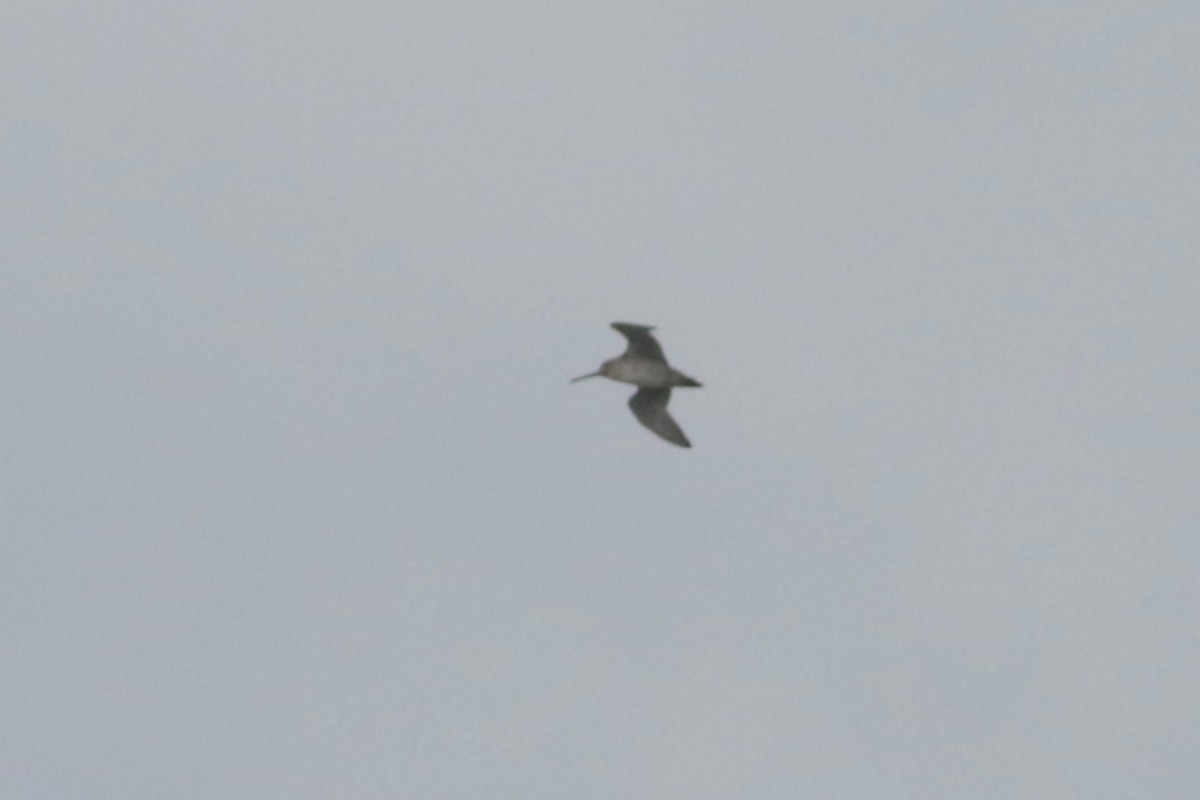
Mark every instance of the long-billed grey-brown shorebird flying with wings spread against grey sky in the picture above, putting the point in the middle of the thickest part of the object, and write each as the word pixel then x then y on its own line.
pixel 644 365
